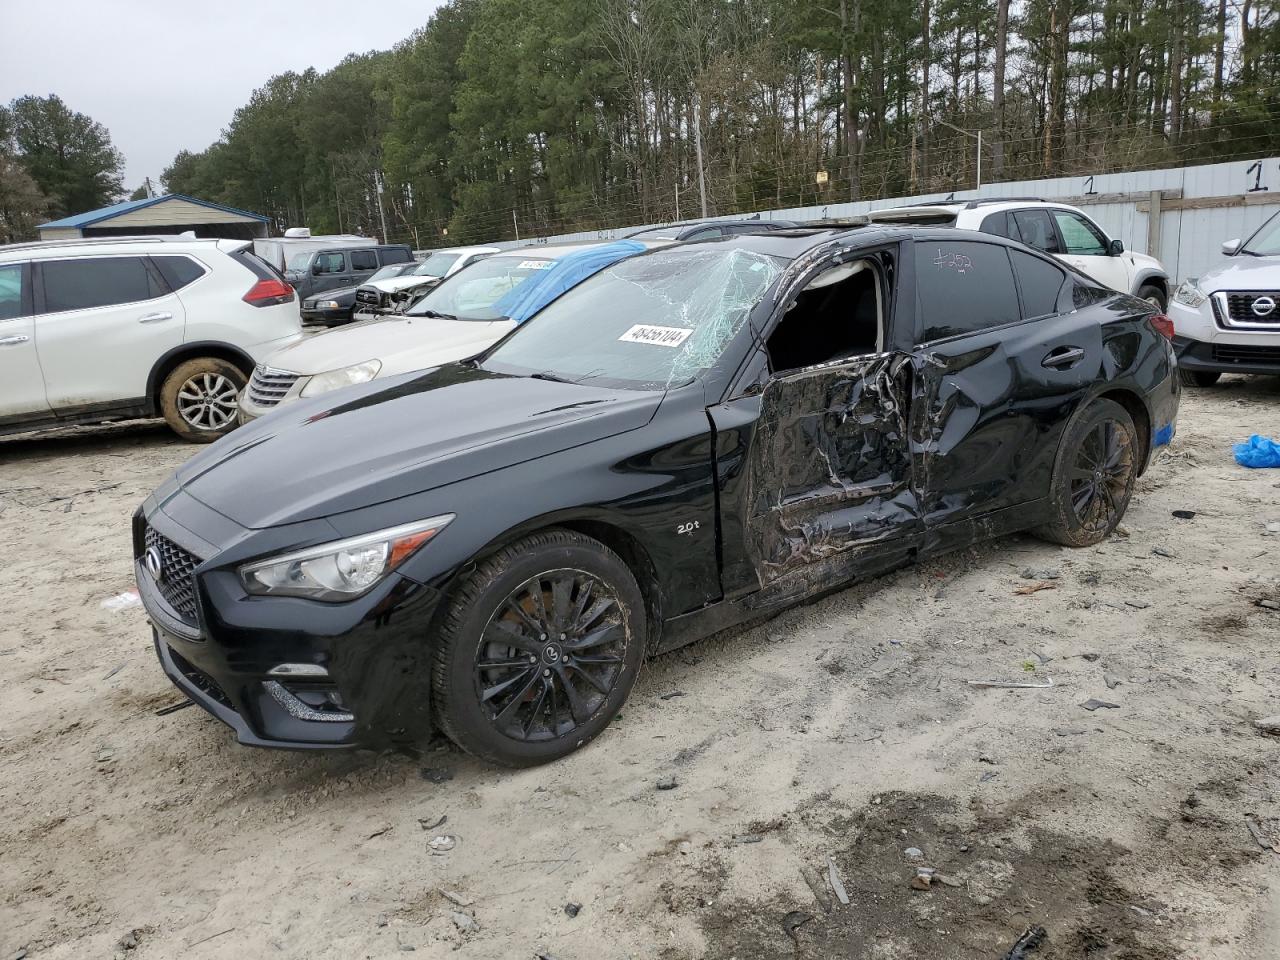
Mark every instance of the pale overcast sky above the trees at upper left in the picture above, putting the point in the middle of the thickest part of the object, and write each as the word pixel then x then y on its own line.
pixel 167 75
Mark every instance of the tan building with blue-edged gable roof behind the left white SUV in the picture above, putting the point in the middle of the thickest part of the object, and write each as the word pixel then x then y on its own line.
pixel 171 214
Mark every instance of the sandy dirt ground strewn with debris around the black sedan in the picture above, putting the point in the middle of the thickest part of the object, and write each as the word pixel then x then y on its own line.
pixel 840 730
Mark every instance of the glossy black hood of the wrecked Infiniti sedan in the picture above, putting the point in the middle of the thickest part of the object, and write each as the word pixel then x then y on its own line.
pixel 394 438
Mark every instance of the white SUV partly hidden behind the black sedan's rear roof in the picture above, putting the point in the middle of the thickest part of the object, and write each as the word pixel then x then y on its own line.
pixel 1058 230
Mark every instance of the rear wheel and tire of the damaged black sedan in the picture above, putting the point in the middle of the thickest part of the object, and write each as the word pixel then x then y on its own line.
pixel 1094 478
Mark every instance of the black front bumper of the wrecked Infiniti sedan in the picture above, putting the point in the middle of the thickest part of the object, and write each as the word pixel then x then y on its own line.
pixel 295 674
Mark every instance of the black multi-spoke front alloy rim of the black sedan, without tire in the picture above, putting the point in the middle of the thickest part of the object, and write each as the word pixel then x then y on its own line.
pixel 551 655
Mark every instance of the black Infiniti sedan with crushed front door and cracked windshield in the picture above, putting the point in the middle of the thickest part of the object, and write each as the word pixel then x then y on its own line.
pixel 691 440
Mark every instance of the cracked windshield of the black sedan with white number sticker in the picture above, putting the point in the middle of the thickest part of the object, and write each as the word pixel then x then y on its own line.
pixel 650 322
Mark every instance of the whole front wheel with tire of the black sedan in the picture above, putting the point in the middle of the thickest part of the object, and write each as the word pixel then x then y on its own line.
pixel 540 650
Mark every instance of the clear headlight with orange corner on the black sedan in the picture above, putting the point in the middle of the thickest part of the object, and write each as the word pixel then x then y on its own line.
pixel 342 570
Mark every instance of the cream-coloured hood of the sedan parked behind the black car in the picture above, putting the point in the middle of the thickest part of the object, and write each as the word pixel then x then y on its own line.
pixel 403 345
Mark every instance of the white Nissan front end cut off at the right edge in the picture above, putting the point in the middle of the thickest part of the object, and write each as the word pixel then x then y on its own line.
pixel 1228 322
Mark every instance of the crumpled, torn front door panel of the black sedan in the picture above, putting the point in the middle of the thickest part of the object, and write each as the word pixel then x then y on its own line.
pixel 829 474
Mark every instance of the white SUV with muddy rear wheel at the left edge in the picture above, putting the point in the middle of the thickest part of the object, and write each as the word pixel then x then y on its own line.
pixel 134 327
